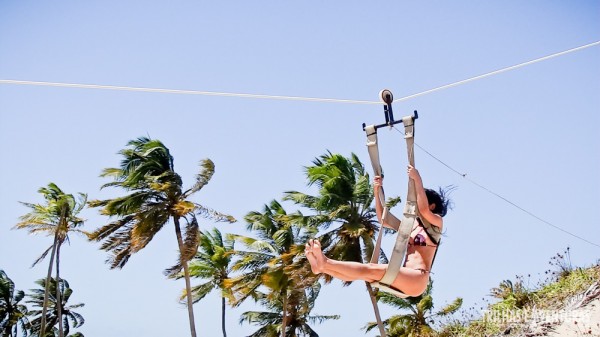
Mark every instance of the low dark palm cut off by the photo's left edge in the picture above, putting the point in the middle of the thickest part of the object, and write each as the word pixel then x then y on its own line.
pixel 13 315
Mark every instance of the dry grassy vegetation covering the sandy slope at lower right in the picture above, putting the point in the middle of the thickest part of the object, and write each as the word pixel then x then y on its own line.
pixel 523 310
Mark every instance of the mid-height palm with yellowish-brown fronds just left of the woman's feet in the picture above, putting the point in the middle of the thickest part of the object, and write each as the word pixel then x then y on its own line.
pixel 272 259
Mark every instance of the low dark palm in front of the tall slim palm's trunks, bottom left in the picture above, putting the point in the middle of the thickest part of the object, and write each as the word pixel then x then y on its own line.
pixel 59 311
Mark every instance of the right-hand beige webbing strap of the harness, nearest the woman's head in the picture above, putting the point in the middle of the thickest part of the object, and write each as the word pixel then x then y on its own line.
pixel 410 212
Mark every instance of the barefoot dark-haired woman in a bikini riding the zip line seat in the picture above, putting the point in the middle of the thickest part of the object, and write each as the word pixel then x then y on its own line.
pixel 413 277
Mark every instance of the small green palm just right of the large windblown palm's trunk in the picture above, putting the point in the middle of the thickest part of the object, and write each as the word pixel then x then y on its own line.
pixel 212 263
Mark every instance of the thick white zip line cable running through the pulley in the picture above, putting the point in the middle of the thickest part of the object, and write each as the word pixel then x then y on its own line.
pixel 289 98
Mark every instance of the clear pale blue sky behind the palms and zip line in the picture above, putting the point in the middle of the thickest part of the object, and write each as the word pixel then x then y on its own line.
pixel 529 135
